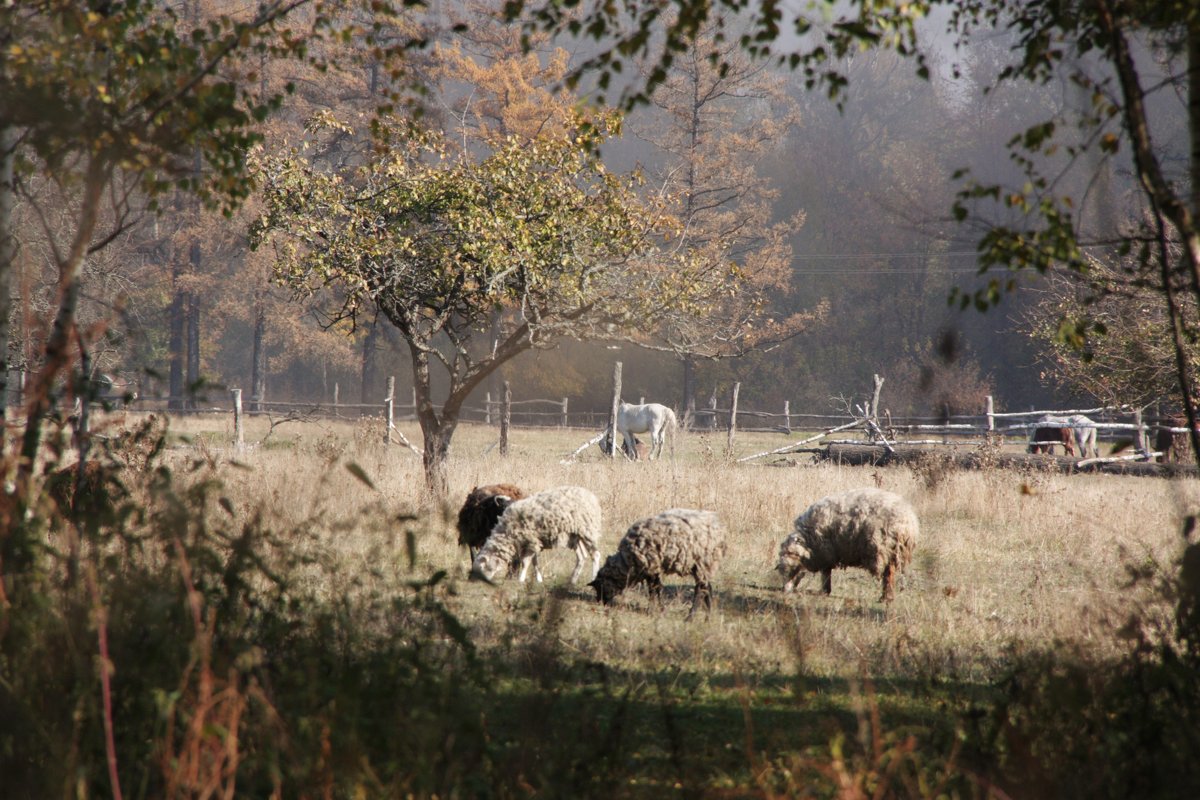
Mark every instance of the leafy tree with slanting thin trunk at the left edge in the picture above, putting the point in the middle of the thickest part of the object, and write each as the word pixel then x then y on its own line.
pixel 118 104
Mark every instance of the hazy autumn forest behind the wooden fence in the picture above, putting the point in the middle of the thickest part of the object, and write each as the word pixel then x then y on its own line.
pixel 839 216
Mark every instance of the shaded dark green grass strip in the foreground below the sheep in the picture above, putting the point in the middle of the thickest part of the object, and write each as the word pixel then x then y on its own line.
pixel 593 731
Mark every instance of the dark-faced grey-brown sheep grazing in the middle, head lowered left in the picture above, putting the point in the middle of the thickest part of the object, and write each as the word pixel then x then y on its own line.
pixel 680 542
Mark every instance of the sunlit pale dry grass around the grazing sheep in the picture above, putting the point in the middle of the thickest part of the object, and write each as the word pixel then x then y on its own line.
pixel 1006 561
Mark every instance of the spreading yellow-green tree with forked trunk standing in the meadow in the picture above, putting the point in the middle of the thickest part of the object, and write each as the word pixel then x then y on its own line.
pixel 439 244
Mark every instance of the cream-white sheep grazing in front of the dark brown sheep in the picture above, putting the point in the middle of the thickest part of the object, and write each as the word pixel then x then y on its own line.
pixel 567 516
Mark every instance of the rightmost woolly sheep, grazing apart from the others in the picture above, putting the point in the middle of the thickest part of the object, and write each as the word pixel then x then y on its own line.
pixel 871 528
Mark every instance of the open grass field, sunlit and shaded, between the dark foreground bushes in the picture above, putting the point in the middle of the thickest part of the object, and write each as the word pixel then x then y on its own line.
pixel 771 689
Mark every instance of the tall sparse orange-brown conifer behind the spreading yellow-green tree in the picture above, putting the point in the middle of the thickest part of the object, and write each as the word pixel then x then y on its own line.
pixel 715 118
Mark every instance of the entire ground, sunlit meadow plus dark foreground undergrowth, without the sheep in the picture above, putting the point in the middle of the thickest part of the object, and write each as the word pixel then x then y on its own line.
pixel 296 619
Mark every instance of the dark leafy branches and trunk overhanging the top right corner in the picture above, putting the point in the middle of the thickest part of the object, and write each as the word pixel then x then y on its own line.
pixel 1120 57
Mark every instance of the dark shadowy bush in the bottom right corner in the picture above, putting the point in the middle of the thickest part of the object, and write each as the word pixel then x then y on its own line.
pixel 1076 726
